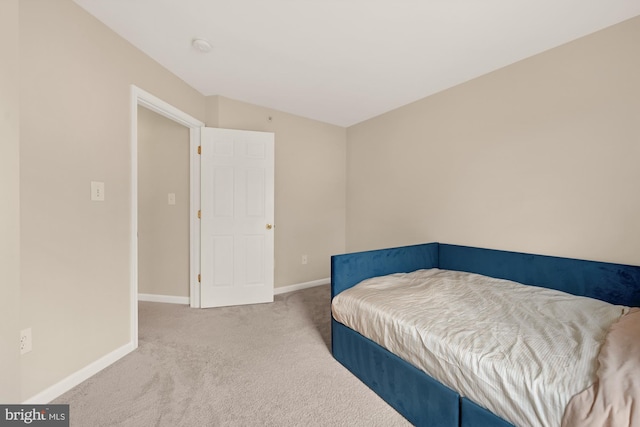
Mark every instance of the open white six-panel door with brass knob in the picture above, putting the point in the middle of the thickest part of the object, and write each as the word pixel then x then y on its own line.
pixel 237 211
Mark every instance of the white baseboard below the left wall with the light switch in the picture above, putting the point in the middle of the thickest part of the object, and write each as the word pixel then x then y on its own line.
pixel 76 378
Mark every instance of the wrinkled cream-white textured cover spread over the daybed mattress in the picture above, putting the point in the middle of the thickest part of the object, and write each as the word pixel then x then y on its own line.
pixel 520 351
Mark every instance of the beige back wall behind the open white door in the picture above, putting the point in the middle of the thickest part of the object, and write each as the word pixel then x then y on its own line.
pixel 309 187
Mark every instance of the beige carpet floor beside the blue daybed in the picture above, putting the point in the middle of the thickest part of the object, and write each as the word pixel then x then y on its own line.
pixel 259 365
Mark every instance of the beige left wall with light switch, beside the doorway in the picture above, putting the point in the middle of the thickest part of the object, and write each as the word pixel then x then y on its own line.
pixel 75 128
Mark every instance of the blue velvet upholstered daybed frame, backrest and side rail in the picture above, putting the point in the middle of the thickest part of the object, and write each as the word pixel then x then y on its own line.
pixel 418 397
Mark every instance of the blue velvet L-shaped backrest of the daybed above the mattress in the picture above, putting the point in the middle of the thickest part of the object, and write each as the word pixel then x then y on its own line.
pixel 614 283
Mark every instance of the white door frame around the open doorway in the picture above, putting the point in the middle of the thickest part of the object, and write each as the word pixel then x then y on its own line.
pixel 140 97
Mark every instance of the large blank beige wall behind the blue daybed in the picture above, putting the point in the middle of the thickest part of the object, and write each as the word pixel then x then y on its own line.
pixel 541 156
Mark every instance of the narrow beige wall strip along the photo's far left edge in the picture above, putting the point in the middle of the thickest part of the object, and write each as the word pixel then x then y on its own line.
pixel 10 205
